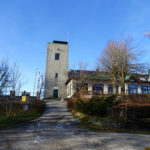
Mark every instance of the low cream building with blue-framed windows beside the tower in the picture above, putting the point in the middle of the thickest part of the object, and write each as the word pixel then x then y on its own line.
pixel 101 84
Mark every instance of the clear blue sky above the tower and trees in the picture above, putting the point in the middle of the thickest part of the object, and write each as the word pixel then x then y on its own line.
pixel 27 25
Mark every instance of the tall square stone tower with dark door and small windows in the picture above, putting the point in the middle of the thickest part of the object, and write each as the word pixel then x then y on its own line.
pixel 56 70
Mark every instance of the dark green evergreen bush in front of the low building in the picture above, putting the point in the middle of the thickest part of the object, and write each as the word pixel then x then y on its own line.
pixel 95 106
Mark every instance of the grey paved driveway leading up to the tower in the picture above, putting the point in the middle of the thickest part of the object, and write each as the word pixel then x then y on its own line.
pixel 57 130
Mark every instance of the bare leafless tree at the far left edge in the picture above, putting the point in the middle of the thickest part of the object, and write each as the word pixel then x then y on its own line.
pixel 10 78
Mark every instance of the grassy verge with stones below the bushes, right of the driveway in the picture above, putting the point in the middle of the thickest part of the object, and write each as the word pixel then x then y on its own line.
pixel 105 124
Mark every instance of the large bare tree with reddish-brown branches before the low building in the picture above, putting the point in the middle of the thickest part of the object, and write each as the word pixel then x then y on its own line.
pixel 119 59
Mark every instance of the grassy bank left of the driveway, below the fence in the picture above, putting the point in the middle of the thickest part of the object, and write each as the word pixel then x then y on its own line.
pixel 19 115
